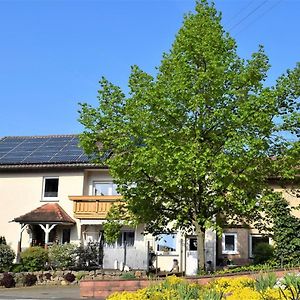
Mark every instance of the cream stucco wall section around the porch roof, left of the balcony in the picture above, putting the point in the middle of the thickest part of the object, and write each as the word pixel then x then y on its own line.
pixel 22 192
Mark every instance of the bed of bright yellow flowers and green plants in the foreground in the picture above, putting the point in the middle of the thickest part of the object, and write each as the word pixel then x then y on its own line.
pixel 264 287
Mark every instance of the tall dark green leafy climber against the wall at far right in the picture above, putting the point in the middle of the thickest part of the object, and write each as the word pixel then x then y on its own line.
pixel 286 232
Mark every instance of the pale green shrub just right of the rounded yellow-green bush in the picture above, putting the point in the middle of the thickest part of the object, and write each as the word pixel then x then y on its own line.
pixel 62 256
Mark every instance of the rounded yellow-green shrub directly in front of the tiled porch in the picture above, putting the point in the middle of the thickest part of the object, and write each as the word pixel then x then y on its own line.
pixel 34 259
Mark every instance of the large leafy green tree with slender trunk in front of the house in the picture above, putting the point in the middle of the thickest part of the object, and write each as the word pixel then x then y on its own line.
pixel 200 138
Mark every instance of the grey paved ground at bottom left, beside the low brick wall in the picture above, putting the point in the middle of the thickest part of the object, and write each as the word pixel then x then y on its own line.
pixel 41 292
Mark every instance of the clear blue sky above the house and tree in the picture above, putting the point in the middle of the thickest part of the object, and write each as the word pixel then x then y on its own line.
pixel 53 53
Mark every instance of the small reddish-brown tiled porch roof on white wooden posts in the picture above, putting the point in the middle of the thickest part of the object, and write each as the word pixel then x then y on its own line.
pixel 47 213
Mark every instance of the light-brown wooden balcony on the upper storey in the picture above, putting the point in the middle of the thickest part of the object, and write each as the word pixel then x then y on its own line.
pixel 93 207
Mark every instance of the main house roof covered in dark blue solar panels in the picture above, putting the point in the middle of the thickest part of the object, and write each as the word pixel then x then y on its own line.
pixel 42 151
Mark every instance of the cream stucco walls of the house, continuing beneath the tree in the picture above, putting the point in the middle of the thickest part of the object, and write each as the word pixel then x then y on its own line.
pixel 21 191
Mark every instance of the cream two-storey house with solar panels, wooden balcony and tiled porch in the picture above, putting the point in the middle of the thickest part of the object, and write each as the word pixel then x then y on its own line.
pixel 51 193
